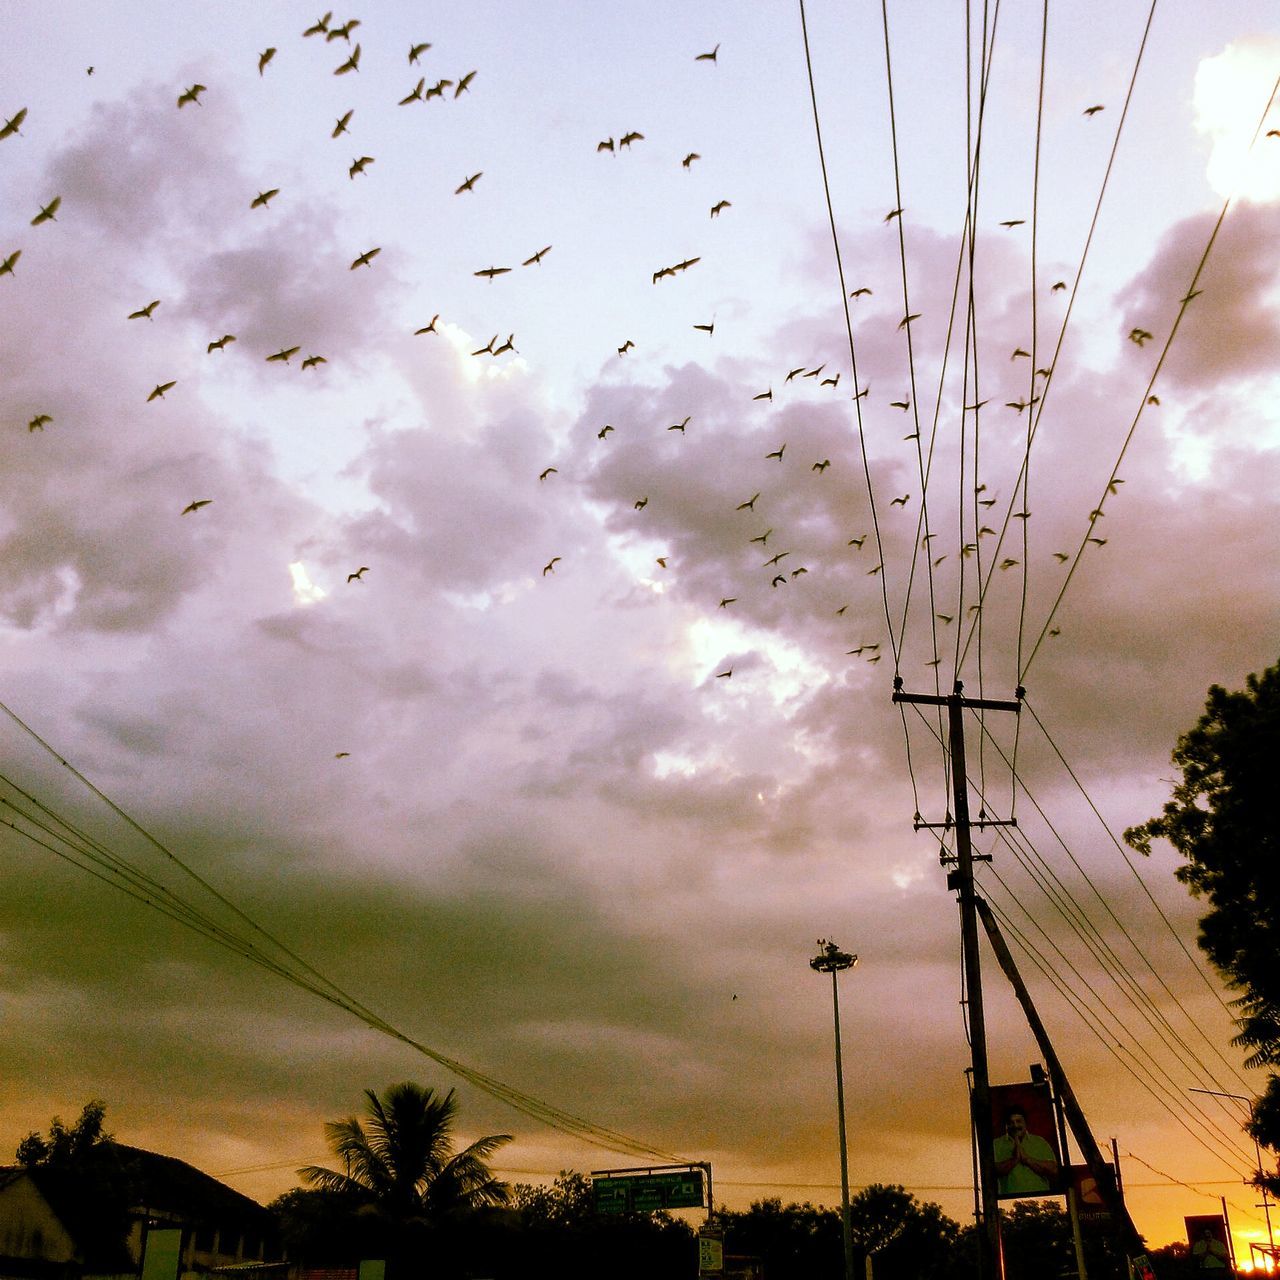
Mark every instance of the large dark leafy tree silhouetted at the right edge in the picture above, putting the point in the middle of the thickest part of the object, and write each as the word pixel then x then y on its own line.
pixel 1220 822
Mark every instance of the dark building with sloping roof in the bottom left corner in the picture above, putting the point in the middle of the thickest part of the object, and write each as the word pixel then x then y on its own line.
pixel 92 1220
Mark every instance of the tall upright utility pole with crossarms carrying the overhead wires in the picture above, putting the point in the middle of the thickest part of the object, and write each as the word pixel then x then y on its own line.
pixel 962 881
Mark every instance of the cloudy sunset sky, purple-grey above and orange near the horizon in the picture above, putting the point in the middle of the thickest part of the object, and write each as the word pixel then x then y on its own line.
pixel 568 784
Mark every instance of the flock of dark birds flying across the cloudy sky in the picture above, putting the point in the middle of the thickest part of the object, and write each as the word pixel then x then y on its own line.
pixel 776 574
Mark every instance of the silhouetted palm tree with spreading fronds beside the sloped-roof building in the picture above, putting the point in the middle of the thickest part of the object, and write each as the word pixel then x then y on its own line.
pixel 401 1159
